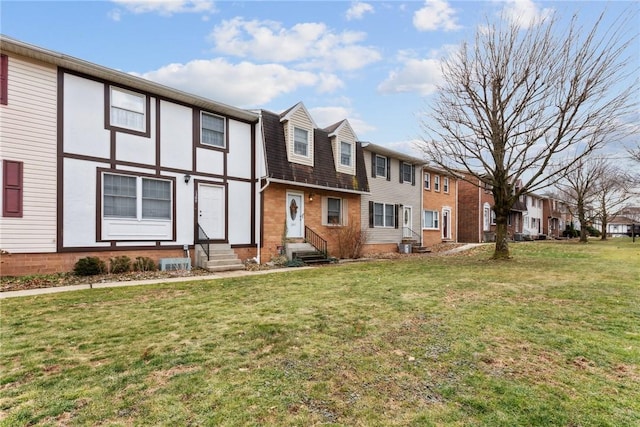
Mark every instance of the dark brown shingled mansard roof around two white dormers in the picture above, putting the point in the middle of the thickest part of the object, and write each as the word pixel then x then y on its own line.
pixel 323 174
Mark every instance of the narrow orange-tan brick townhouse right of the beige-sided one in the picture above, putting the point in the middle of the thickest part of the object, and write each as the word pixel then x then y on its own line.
pixel 439 206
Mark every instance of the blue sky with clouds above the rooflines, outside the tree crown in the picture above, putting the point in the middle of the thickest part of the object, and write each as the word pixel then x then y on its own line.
pixel 376 63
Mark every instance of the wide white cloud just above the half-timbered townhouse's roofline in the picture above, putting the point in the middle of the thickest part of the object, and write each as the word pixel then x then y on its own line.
pixel 244 84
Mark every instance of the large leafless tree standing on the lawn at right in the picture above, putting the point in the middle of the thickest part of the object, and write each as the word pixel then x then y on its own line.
pixel 518 100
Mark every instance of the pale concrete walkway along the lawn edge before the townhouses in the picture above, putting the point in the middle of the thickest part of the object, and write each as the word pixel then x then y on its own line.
pixel 220 275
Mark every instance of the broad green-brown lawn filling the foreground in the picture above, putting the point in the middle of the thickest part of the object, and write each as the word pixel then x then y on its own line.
pixel 550 338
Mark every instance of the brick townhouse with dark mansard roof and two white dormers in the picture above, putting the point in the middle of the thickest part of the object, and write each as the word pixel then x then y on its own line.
pixel 311 184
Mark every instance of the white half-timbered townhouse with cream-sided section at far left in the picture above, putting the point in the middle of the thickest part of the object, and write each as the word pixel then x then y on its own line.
pixel 96 162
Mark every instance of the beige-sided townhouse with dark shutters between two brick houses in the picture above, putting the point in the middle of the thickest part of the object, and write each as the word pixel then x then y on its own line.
pixel 392 211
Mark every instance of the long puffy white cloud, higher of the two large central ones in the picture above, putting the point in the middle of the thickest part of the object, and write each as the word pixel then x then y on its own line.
pixel 311 45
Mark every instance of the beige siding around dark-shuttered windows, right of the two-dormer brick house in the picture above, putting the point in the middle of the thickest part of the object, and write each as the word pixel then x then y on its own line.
pixel 391 192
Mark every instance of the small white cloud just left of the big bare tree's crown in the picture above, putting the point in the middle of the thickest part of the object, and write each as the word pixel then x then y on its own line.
pixel 416 75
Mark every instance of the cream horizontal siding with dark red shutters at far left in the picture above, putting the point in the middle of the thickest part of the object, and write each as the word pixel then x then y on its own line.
pixel 28 134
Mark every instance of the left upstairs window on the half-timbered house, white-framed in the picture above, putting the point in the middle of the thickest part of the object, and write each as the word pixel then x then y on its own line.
pixel 127 115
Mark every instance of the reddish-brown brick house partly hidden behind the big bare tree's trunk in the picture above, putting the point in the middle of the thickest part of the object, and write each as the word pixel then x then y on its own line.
pixel 476 219
